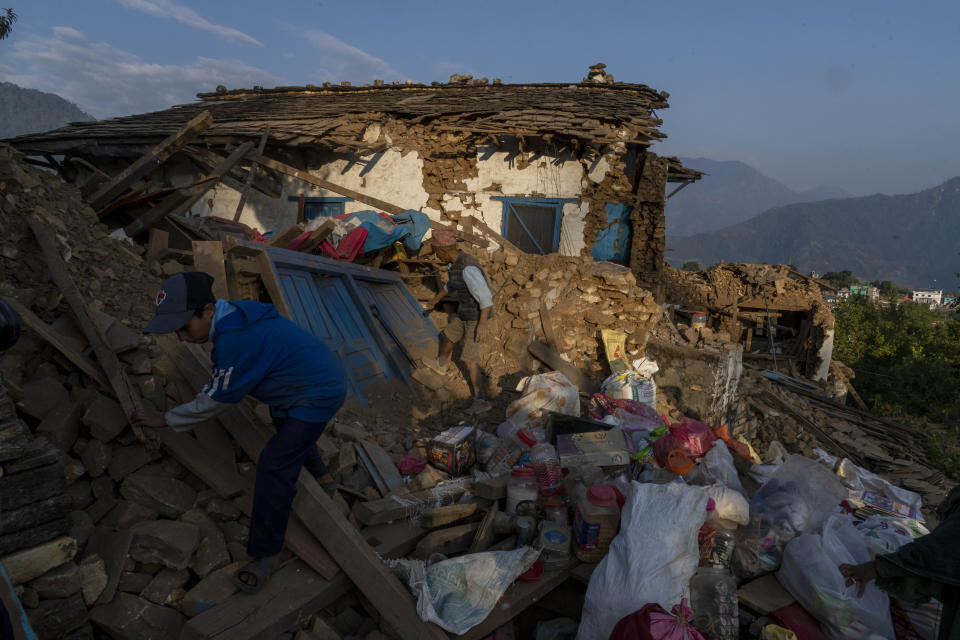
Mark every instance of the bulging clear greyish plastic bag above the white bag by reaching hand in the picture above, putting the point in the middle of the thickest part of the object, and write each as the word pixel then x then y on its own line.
pixel 798 498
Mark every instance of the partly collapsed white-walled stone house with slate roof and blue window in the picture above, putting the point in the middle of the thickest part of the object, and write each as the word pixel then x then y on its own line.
pixel 555 168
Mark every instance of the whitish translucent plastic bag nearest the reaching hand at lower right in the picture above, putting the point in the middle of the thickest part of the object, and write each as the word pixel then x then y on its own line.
pixel 811 574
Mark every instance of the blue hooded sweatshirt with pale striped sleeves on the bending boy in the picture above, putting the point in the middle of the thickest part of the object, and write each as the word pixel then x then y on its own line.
pixel 258 352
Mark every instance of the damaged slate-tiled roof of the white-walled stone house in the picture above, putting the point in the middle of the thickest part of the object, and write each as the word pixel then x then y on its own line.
pixel 583 113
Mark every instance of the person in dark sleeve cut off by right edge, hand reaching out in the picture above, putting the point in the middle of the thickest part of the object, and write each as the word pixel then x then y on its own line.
pixel 928 567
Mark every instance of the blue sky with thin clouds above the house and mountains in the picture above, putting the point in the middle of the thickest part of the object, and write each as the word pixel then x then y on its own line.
pixel 860 95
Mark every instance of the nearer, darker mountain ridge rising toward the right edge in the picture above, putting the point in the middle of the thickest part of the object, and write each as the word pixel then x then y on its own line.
pixel 911 239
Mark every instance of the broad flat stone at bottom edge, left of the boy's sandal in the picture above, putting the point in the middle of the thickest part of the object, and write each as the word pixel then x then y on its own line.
pixel 128 617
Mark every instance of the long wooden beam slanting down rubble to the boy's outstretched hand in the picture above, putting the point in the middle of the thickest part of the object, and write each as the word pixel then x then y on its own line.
pixel 116 374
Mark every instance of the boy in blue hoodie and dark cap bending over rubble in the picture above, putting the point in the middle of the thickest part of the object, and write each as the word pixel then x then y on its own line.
pixel 256 352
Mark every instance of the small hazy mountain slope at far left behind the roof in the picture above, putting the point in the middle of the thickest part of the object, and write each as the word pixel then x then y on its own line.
pixel 30 111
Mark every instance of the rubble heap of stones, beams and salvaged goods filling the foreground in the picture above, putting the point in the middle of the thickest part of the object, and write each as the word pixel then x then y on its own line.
pixel 639 474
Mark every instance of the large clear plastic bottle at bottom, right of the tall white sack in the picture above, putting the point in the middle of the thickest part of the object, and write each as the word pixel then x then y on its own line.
pixel 713 598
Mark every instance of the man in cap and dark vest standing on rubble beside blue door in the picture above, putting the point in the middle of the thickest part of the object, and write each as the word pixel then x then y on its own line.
pixel 469 284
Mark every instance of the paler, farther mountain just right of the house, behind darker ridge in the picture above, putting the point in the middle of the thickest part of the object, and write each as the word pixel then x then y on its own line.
pixel 731 192
